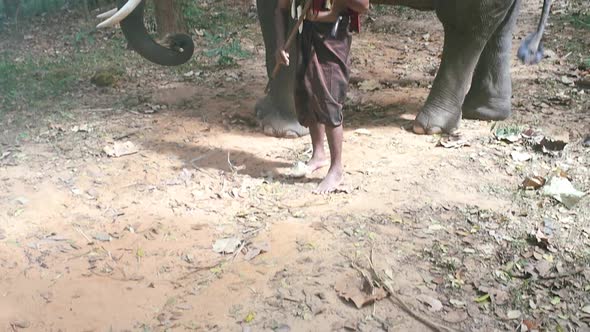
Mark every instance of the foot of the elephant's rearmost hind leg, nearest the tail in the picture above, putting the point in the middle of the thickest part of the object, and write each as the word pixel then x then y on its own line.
pixel 491 109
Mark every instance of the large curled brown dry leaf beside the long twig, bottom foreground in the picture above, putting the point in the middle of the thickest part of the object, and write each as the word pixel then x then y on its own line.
pixel 357 290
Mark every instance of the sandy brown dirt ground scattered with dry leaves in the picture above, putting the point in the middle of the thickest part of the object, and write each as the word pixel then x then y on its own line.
pixel 200 229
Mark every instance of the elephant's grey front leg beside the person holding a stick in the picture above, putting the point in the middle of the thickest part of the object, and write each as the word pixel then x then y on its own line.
pixel 276 111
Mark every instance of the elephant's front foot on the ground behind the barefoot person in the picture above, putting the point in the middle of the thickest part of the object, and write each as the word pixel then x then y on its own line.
pixel 277 122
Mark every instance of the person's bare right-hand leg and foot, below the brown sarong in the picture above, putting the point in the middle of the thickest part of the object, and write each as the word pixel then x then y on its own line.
pixel 335 174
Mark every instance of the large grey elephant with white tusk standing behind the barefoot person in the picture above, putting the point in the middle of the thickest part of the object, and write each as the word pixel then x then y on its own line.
pixel 473 80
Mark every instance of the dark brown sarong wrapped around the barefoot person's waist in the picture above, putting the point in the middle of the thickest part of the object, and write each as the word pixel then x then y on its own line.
pixel 322 73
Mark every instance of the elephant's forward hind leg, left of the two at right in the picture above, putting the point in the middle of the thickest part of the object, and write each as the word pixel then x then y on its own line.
pixel 468 25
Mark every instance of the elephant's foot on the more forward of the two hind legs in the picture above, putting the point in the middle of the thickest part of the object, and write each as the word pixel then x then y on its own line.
pixel 432 121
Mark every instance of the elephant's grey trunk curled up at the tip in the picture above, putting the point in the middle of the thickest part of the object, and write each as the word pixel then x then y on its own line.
pixel 181 46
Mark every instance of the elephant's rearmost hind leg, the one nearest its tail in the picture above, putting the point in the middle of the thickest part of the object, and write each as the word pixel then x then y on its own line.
pixel 491 86
